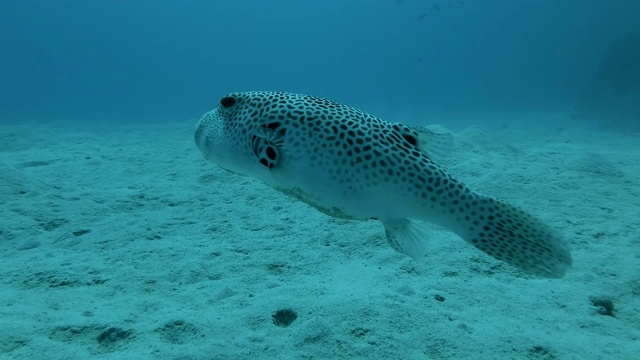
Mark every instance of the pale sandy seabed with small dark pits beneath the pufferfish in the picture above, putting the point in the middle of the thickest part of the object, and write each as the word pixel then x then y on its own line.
pixel 124 243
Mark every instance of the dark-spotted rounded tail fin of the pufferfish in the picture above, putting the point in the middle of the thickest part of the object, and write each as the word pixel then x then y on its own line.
pixel 509 234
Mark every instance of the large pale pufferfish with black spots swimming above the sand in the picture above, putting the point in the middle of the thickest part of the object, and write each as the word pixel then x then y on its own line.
pixel 352 165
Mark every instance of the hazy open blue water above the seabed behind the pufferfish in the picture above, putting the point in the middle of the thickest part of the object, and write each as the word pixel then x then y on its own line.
pixel 163 60
